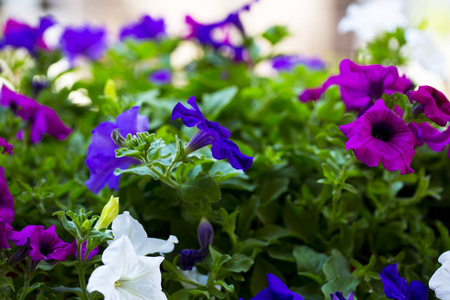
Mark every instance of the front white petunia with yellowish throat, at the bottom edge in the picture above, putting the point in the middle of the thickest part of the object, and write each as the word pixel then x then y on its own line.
pixel 126 275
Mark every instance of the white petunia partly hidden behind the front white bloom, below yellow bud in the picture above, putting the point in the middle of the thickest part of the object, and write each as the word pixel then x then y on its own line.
pixel 126 225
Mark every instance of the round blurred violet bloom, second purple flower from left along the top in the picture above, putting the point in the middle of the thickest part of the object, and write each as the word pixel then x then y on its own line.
pixel 87 41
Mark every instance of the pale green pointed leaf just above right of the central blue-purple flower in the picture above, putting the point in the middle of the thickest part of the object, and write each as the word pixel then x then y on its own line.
pixel 214 103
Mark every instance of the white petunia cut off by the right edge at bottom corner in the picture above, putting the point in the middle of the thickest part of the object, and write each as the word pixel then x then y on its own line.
pixel 440 281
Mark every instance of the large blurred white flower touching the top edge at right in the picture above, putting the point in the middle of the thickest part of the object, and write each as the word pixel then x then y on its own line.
pixel 372 18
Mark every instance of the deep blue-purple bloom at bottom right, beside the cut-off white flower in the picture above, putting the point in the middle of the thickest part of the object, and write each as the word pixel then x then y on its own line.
pixel 396 287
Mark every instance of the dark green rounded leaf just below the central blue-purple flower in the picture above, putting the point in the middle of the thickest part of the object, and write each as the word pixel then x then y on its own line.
pixel 202 188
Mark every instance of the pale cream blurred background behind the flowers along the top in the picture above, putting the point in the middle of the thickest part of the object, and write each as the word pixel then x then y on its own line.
pixel 312 23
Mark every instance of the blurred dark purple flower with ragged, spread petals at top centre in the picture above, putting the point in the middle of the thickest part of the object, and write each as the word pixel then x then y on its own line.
pixel 204 33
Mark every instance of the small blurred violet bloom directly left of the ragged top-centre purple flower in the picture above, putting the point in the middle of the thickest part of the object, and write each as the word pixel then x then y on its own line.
pixel 146 29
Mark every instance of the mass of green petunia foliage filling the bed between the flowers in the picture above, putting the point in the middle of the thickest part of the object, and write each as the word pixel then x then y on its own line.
pixel 306 211
